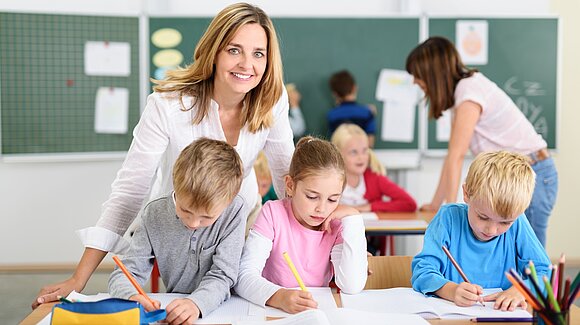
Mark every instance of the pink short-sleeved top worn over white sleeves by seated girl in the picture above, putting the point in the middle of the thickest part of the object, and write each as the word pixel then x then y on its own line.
pixel 308 249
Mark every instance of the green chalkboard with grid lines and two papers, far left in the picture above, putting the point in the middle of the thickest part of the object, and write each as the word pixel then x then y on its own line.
pixel 47 101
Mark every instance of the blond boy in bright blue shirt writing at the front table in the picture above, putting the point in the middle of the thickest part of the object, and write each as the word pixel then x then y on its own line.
pixel 487 236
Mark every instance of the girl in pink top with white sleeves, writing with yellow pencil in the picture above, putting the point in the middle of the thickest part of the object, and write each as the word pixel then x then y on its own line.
pixel 322 238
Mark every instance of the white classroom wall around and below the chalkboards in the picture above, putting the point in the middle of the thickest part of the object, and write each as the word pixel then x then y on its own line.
pixel 41 204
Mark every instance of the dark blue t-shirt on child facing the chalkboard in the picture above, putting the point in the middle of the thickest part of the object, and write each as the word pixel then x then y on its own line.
pixel 351 112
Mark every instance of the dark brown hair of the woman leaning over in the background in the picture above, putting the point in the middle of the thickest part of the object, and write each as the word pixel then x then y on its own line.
pixel 437 63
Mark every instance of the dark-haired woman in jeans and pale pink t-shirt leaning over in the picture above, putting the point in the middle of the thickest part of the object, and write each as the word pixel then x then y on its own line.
pixel 484 118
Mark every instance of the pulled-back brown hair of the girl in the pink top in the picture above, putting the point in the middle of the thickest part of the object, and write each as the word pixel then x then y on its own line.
pixel 314 155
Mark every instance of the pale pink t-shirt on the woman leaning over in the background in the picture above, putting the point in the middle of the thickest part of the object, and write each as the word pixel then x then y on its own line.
pixel 501 126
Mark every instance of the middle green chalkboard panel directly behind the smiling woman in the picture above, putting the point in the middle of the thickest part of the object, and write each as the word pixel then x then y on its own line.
pixel 313 49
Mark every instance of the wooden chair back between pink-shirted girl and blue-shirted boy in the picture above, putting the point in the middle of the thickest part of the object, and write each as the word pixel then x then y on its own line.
pixel 389 272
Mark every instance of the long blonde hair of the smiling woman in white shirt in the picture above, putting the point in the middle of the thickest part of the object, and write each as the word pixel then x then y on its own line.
pixel 197 79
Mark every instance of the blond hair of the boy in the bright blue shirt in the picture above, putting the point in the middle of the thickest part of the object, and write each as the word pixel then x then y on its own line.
pixel 503 180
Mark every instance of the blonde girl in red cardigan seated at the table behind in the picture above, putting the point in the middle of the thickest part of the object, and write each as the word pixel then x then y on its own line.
pixel 367 185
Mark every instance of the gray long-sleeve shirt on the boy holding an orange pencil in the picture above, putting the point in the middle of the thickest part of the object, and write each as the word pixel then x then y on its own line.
pixel 203 262
